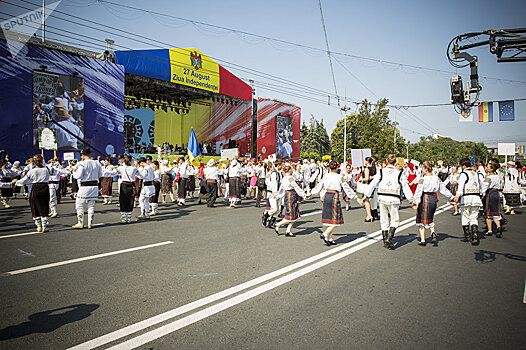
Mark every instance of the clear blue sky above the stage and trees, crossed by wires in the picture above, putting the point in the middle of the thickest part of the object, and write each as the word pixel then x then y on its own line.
pixel 409 32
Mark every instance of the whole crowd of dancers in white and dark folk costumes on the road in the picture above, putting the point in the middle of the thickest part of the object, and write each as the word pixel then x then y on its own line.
pixel 493 189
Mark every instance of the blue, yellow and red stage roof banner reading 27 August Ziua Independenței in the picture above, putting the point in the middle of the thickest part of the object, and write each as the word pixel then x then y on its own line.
pixel 188 67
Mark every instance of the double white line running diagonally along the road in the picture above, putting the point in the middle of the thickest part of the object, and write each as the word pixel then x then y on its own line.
pixel 134 328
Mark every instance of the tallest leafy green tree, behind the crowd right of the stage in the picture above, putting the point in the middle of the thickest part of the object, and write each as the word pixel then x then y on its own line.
pixel 369 127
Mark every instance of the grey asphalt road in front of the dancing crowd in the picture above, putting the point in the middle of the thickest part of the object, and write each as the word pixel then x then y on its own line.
pixel 199 278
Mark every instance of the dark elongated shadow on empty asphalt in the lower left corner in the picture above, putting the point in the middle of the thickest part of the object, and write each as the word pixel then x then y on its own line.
pixel 48 321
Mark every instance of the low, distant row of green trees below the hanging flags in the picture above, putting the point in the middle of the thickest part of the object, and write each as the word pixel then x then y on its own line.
pixel 447 149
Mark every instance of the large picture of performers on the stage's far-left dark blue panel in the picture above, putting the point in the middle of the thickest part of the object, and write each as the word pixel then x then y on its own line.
pixel 60 98
